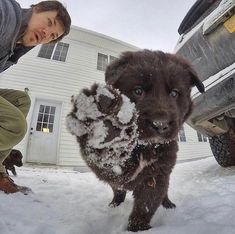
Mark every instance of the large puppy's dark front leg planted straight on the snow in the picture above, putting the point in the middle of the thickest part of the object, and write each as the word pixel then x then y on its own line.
pixel 148 196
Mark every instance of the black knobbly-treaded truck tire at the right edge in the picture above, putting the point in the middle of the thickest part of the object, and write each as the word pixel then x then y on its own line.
pixel 223 149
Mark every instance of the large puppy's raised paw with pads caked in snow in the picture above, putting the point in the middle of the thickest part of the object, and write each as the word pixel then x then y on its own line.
pixel 99 106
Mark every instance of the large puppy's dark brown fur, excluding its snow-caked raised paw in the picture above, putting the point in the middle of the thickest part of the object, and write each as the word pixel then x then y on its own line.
pixel 159 84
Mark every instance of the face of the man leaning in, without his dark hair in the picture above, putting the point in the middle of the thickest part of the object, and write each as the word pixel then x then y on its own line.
pixel 42 28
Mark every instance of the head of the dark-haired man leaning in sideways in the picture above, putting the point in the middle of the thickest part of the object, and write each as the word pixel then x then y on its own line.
pixel 50 22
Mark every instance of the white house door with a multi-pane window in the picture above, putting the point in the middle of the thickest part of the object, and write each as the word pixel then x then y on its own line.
pixel 44 129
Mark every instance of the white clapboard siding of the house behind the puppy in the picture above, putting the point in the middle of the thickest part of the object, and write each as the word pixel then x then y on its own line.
pixel 55 80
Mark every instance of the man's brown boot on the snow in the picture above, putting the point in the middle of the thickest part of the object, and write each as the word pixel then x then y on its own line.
pixel 7 185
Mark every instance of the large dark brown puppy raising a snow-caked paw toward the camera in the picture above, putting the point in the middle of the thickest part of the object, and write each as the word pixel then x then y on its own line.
pixel 159 85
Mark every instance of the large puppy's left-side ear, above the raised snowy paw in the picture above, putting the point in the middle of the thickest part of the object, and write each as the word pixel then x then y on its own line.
pixel 116 68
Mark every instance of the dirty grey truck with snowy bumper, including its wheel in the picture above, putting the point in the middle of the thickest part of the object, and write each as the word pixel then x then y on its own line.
pixel 207 41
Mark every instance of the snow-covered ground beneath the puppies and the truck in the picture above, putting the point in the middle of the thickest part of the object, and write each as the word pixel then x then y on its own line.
pixel 68 202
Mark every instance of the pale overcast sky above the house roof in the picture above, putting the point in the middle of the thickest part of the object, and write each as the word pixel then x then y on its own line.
pixel 150 24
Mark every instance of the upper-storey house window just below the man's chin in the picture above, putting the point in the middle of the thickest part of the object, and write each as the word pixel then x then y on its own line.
pixel 54 51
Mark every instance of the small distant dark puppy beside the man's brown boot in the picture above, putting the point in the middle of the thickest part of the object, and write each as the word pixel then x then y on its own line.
pixel 13 159
